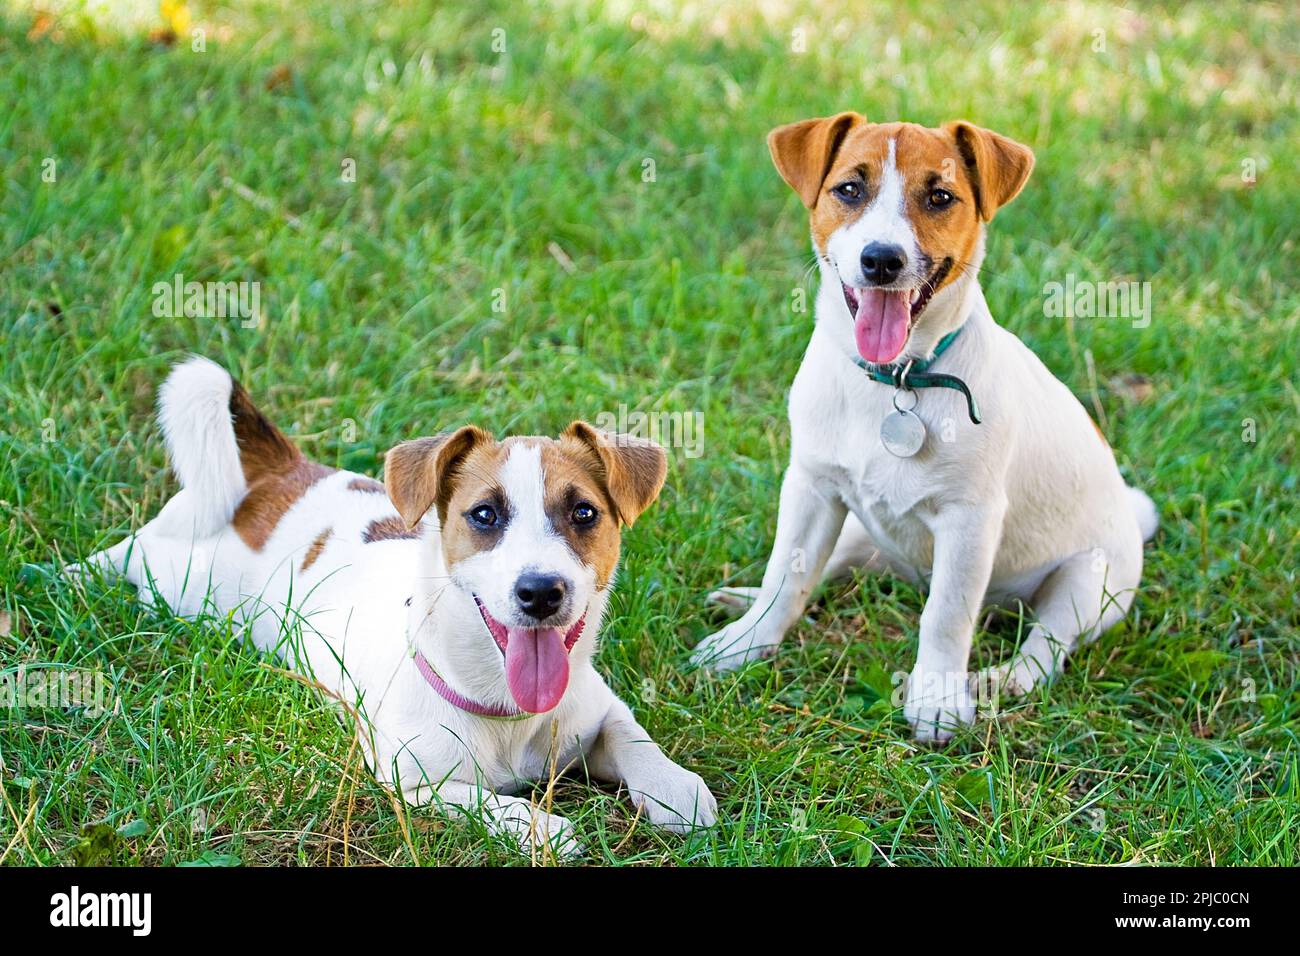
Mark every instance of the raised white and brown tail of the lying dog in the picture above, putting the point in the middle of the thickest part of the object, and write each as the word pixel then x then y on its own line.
pixel 218 442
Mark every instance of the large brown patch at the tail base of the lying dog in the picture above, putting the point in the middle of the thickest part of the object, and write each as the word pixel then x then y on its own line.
pixel 275 470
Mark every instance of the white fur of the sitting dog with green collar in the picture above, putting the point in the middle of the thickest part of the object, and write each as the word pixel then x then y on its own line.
pixel 1028 507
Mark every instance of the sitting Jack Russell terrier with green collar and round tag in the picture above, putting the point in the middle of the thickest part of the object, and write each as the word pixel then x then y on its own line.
pixel 926 440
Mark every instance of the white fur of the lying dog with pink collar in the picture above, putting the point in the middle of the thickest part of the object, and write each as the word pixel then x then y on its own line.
pixel 354 618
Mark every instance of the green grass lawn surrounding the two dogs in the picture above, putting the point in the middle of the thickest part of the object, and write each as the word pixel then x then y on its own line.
pixel 1172 741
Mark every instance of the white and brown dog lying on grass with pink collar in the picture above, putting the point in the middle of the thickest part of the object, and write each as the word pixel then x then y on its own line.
pixel 457 605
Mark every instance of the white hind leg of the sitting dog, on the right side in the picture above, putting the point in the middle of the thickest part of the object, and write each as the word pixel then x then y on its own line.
pixel 1080 600
